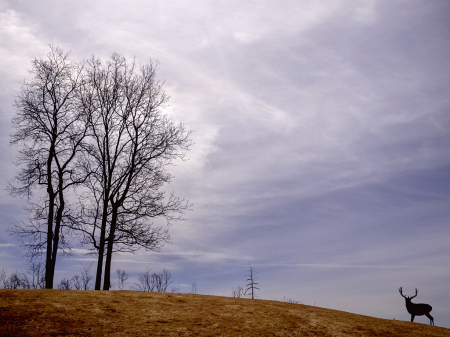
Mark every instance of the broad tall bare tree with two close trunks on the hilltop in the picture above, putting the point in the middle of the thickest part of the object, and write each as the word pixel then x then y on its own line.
pixel 132 145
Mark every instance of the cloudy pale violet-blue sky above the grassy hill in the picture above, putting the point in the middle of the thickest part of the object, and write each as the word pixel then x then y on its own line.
pixel 322 143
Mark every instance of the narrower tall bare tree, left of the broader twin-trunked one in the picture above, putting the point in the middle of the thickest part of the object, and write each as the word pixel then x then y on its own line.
pixel 50 129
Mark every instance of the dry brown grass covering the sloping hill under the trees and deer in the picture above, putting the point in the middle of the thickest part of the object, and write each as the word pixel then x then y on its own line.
pixel 133 313
